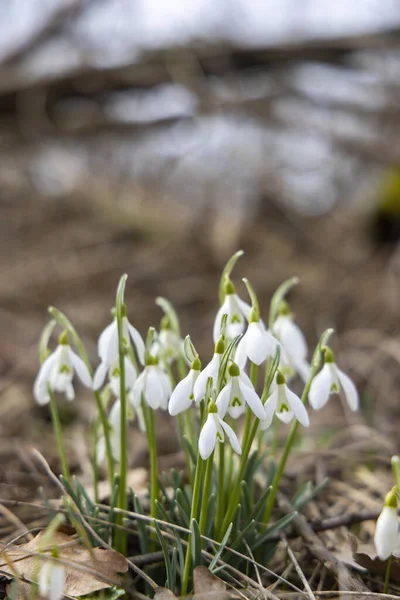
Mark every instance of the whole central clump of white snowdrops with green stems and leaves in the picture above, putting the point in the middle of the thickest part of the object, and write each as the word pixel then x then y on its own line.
pixel 227 411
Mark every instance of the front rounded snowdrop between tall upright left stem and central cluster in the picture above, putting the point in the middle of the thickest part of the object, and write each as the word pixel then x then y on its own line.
pixel 153 384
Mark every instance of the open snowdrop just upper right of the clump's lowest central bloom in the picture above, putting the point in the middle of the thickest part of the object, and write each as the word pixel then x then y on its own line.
pixel 238 392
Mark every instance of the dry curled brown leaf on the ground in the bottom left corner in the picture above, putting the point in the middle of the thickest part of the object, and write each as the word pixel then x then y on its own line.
pixel 104 564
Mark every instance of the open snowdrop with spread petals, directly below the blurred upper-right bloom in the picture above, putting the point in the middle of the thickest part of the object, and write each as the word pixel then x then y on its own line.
pixel 285 405
